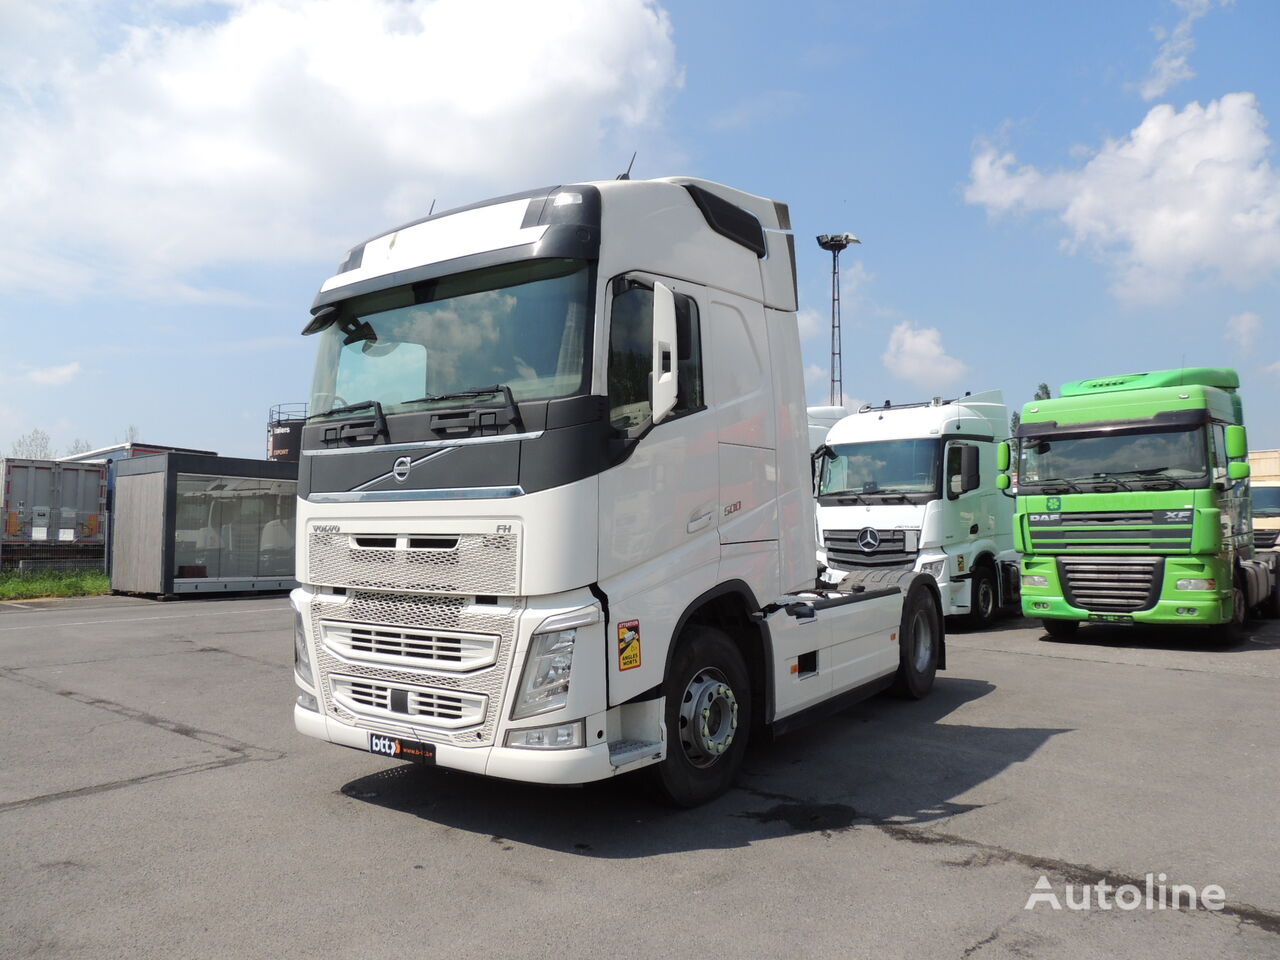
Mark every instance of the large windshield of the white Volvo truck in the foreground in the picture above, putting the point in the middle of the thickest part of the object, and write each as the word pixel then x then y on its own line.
pixel 524 326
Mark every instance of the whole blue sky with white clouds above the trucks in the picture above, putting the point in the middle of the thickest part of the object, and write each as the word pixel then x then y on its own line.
pixel 1044 191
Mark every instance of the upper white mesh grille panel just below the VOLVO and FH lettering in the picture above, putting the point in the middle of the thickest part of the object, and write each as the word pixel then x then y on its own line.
pixel 476 564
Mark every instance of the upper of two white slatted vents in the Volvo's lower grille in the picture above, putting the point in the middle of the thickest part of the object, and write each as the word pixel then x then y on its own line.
pixel 433 650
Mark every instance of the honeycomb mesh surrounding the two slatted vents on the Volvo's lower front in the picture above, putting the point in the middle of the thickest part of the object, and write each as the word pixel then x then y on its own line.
pixel 422 614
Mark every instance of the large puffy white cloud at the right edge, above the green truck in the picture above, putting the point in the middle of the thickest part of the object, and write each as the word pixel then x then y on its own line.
pixel 1185 194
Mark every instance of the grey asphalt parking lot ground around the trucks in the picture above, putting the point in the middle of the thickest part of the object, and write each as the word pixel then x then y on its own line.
pixel 156 802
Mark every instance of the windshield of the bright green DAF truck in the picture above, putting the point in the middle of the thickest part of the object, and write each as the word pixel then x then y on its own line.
pixel 1124 460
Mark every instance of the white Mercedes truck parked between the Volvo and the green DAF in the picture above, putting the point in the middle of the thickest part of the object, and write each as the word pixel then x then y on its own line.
pixel 913 487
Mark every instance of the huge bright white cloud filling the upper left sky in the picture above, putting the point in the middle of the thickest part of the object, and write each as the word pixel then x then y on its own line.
pixel 141 149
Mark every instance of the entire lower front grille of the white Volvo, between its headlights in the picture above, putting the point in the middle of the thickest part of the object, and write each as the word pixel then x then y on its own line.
pixel 413 618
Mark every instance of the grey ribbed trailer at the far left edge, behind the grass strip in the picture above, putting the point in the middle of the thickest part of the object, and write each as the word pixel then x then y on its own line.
pixel 52 513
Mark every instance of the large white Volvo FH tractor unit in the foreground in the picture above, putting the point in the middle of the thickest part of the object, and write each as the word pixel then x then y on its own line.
pixel 556 519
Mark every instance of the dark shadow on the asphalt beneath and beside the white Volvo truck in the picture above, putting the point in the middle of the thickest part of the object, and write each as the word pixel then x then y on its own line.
pixel 885 761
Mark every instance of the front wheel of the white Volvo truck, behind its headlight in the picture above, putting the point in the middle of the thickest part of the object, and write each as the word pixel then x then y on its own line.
pixel 708 716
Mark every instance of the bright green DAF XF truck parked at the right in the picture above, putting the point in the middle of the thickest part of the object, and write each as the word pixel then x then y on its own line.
pixel 1133 505
